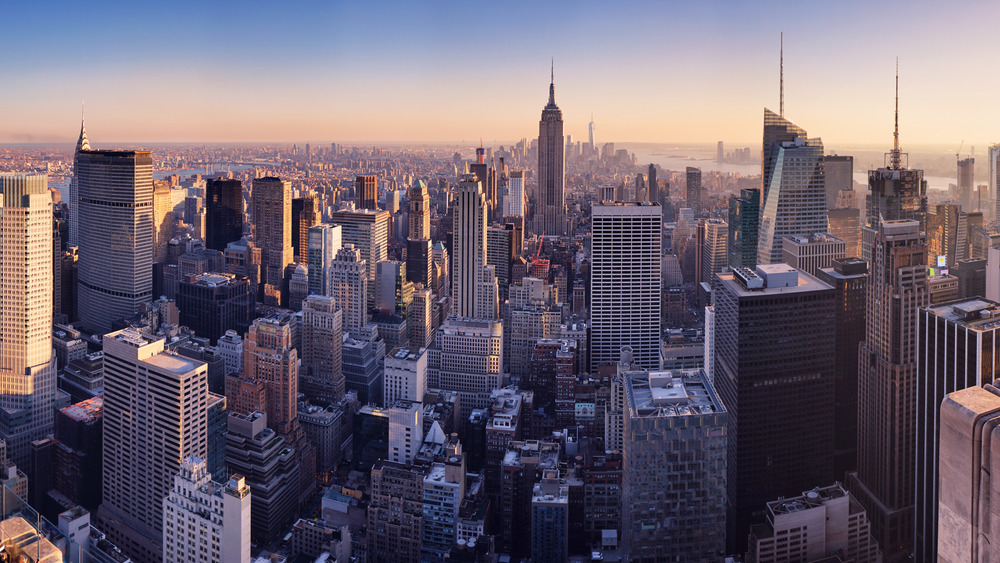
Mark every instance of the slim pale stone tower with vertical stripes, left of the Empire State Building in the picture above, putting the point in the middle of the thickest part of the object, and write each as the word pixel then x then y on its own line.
pixel 473 282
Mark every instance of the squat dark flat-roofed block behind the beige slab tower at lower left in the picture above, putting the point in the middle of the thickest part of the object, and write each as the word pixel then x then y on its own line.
pixel 212 303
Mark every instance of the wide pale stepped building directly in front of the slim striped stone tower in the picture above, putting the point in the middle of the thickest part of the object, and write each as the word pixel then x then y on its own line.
pixel 467 357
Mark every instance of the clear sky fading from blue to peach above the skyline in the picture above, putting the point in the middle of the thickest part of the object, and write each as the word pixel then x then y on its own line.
pixel 370 71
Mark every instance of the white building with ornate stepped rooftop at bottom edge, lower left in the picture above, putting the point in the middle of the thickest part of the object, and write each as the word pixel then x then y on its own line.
pixel 205 521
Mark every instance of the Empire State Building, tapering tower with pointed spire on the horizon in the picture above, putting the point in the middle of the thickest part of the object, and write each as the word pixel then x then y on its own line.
pixel 550 203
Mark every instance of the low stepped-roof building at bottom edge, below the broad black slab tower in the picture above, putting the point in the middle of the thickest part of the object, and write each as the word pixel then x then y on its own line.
pixel 823 524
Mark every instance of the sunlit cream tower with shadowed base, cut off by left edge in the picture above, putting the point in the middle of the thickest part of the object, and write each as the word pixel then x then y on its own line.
pixel 27 361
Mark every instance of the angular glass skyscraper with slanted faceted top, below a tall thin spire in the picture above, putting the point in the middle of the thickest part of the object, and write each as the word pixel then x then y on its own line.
pixel 794 193
